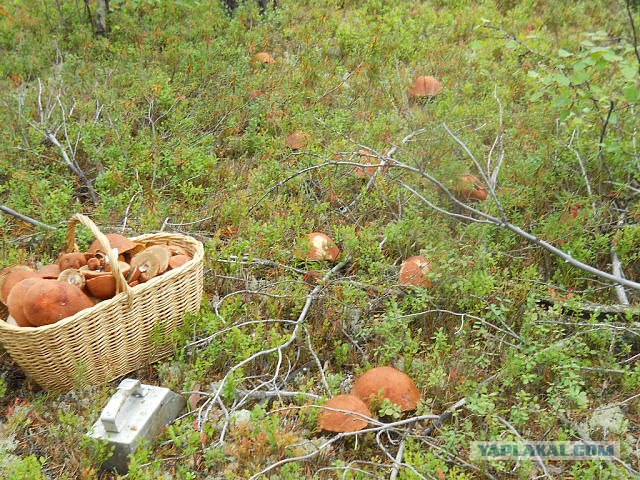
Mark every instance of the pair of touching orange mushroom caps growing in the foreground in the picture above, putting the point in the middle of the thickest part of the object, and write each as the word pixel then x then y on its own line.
pixel 349 413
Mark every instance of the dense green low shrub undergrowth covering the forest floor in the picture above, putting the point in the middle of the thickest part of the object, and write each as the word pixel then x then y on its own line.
pixel 176 129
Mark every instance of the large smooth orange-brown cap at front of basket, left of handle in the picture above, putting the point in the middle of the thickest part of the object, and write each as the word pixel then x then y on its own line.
pixel 48 301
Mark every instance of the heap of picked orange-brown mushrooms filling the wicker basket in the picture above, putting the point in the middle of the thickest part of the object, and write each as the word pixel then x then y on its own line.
pixel 79 280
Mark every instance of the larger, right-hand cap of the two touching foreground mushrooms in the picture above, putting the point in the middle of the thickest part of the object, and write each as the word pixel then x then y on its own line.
pixel 391 383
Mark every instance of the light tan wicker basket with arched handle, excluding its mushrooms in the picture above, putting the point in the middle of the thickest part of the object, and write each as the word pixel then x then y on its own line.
pixel 116 336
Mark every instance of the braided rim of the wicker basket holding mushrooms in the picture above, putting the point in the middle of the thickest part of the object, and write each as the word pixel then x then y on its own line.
pixel 88 314
